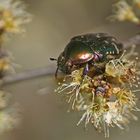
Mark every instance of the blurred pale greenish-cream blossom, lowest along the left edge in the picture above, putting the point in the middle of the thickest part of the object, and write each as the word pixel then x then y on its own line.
pixel 9 113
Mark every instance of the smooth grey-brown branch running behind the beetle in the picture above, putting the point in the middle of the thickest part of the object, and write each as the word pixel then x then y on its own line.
pixel 50 70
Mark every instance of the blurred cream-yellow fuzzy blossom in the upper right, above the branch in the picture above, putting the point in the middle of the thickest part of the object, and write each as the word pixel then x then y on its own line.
pixel 124 12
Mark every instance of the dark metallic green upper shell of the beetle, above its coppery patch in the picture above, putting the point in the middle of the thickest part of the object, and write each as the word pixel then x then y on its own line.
pixel 90 43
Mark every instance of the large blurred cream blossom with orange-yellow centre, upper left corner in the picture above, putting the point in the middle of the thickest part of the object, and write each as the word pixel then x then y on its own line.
pixel 13 15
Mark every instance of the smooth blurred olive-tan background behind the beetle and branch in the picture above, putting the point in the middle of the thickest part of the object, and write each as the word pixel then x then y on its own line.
pixel 44 115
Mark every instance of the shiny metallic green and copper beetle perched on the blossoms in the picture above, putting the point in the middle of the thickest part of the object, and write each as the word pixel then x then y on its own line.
pixel 88 50
